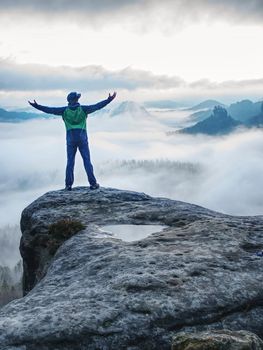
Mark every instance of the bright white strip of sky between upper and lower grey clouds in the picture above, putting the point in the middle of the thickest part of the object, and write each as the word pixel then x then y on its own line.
pixel 217 52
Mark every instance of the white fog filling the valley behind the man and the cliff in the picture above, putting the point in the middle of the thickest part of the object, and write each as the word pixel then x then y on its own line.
pixel 129 152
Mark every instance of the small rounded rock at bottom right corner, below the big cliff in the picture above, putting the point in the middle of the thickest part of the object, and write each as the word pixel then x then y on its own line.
pixel 217 340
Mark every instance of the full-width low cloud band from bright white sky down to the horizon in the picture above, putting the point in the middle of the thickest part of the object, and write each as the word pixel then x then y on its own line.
pixel 49 81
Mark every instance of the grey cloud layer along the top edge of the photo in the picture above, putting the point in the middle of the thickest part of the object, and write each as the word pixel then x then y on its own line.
pixel 177 12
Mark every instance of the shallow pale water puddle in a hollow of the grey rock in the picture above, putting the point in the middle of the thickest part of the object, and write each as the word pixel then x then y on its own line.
pixel 129 233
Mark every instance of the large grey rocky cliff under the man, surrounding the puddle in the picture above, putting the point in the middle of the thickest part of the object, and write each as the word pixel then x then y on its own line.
pixel 88 290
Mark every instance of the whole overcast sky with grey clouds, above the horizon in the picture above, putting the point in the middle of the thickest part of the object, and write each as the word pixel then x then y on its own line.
pixel 178 49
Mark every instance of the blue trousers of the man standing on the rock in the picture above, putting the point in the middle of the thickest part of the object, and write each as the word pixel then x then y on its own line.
pixel 78 139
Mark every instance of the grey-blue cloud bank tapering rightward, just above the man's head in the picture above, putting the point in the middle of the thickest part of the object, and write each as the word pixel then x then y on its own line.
pixel 43 77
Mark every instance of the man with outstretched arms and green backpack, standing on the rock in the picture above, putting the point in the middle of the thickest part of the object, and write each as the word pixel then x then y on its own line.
pixel 74 116
